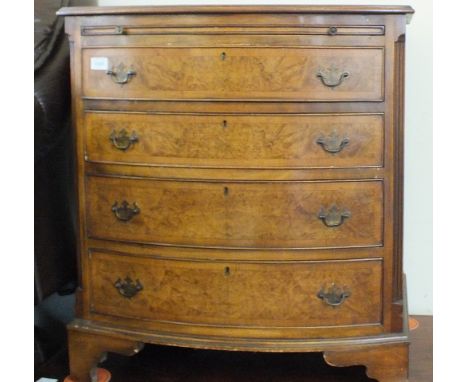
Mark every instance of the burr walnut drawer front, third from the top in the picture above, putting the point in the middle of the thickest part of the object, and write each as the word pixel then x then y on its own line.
pixel 255 214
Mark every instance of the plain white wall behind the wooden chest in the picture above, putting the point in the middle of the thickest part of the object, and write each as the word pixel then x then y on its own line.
pixel 418 145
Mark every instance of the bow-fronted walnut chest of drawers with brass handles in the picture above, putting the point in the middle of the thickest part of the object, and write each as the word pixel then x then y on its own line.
pixel 239 177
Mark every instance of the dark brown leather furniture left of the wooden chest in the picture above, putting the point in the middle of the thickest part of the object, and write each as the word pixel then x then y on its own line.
pixel 54 200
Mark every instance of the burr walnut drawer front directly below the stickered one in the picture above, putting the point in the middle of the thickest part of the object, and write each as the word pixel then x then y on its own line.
pixel 269 141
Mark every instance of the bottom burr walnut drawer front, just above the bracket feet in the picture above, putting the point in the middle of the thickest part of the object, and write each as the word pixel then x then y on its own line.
pixel 306 294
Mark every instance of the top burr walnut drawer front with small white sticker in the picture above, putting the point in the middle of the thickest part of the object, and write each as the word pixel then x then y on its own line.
pixel 294 74
